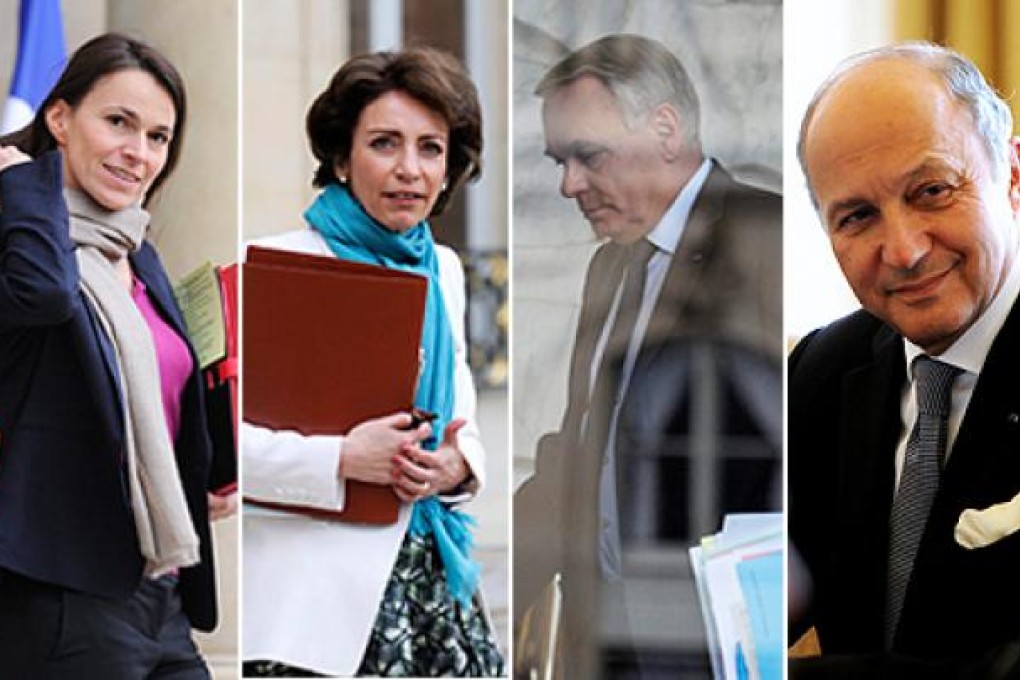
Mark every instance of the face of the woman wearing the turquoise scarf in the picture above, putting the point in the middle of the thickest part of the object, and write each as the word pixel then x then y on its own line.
pixel 398 161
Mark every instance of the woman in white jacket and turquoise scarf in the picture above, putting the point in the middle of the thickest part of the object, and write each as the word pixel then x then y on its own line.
pixel 395 135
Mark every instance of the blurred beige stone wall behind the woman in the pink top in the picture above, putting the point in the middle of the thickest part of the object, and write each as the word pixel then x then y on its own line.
pixel 195 216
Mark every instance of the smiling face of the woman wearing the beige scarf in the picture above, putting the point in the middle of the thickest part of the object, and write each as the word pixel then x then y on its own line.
pixel 116 141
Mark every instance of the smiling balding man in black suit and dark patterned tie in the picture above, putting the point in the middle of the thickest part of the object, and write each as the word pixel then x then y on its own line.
pixel 908 158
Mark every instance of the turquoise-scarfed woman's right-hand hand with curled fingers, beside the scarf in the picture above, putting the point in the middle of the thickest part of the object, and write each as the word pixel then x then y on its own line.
pixel 419 474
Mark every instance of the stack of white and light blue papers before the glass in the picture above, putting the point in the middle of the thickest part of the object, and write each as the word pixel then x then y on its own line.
pixel 739 573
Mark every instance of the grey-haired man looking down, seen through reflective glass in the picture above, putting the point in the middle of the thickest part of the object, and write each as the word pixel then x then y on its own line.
pixel 691 263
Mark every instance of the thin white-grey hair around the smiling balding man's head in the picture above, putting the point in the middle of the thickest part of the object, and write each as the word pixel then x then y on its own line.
pixel 990 114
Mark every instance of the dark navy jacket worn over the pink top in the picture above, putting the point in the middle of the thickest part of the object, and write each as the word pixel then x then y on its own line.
pixel 65 512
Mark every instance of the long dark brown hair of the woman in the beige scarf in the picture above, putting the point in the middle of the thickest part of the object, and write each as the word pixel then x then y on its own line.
pixel 101 57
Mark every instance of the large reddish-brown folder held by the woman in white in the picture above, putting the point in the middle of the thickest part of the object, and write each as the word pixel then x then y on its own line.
pixel 329 344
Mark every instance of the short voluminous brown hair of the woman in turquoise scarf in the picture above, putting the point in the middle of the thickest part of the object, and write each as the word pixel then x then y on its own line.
pixel 436 79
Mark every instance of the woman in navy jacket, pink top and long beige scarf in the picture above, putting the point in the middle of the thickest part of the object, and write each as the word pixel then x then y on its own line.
pixel 106 551
